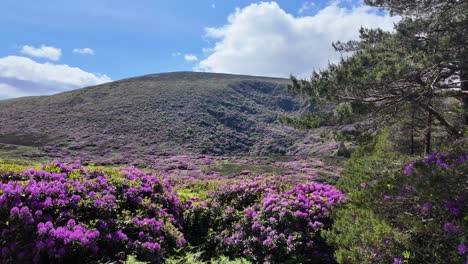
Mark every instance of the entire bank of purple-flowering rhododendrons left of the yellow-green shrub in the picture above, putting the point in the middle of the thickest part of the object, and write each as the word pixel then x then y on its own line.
pixel 68 213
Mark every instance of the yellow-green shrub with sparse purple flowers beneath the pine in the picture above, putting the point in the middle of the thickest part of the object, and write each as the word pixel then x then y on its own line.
pixel 414 213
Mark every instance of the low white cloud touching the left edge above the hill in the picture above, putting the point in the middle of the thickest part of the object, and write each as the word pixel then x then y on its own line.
pixel 21 76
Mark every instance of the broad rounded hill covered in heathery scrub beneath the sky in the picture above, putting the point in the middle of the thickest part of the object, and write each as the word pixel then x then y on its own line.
pixel 168 113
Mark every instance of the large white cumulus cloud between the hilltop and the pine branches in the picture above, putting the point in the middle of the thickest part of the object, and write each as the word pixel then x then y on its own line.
pixel 262 39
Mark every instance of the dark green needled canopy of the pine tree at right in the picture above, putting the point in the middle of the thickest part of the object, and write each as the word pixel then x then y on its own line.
pixel 385 76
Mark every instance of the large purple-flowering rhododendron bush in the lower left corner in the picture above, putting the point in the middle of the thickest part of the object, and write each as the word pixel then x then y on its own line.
pixel 74 214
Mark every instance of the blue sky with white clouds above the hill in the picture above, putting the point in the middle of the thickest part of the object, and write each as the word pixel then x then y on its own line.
pixel 51 46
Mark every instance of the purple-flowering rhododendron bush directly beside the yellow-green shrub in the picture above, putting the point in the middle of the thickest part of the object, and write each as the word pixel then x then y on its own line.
pixel 266 223
